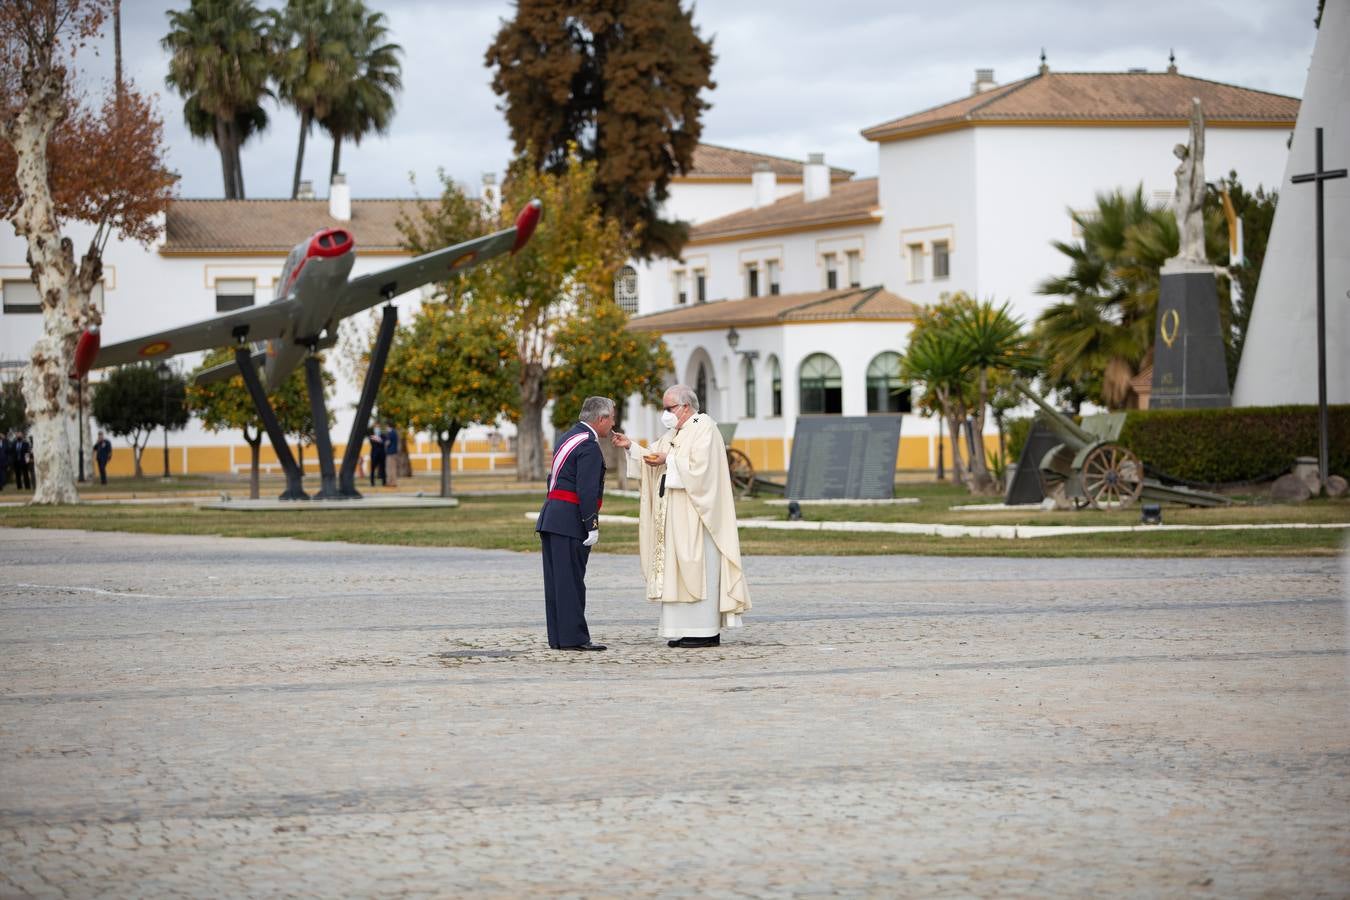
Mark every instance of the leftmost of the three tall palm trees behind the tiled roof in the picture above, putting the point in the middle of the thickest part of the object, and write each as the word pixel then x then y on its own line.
pixel 221 64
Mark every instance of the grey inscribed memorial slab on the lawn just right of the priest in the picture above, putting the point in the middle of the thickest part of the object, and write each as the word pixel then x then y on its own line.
pixel 838 458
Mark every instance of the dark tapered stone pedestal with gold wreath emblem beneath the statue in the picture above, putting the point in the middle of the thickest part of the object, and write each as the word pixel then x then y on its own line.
pixel 1189 364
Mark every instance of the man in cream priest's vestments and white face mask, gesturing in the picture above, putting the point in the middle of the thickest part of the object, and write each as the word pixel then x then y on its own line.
pixel 691 550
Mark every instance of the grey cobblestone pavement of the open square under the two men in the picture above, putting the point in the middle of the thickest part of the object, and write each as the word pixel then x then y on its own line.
pixel 222 717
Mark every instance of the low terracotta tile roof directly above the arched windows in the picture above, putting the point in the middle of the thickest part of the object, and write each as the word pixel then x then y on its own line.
pixel 850 304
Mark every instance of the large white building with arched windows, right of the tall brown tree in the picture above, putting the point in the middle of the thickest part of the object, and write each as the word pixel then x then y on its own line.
pixel 969 196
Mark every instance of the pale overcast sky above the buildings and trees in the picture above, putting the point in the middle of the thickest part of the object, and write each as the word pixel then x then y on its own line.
pixel 793 76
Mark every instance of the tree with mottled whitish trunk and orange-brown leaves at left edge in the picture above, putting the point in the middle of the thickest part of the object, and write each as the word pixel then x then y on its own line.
pixel 64 160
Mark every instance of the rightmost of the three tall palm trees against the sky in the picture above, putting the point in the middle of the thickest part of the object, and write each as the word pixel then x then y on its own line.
pixel 367 102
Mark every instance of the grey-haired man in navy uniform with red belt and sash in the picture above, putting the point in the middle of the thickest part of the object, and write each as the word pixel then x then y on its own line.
pixel 569 524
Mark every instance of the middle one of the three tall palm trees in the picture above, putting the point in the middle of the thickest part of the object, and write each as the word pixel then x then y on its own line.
pixel 317 63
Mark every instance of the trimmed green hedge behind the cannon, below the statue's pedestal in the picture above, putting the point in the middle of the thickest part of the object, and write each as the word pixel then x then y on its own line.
pixel 1217 446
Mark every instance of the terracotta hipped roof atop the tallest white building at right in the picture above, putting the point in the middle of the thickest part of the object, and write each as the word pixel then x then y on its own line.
pixel 1110 96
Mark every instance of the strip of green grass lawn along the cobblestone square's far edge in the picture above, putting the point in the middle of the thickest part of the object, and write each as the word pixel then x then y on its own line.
pixel 499 523
